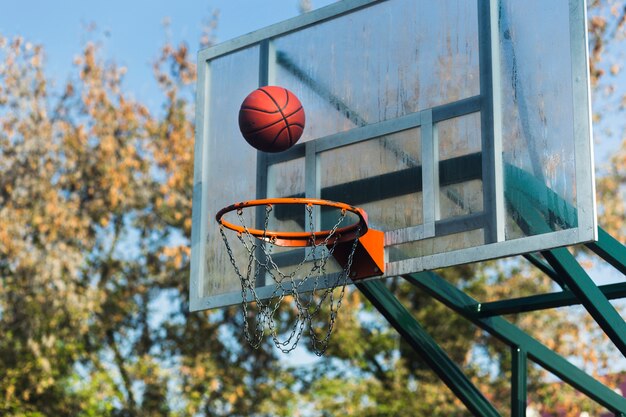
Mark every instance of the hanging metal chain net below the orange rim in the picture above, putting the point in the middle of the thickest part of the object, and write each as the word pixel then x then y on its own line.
pixel 309 286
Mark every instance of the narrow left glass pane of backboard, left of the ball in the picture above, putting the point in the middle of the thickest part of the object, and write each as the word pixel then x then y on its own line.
pixel 230 176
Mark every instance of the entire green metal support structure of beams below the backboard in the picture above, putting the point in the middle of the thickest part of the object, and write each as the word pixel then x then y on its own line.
pixel 522 345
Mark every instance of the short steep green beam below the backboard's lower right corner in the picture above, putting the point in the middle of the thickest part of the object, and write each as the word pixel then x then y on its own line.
pixel 589 295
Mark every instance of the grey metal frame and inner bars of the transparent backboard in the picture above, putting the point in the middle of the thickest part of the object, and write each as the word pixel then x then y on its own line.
pixel 490 165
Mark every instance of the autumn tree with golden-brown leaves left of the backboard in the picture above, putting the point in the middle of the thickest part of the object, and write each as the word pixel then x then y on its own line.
pixel 95 202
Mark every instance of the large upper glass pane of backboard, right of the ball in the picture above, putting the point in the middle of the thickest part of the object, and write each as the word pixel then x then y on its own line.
pixel 381 62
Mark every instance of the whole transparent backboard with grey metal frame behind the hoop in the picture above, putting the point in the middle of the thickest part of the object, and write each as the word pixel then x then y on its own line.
pixel 462 127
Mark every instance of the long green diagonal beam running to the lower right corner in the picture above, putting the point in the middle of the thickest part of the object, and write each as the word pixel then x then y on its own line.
pixel 465 305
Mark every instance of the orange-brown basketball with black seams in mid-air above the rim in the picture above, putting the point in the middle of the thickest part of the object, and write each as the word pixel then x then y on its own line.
pixel 271 119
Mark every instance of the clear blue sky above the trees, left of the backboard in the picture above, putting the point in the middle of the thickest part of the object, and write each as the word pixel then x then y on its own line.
pixel 132 31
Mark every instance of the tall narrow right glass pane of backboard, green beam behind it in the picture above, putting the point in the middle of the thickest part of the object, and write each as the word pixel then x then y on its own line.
pixel 537 114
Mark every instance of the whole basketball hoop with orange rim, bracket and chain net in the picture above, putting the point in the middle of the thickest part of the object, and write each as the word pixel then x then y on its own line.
pixel 345 243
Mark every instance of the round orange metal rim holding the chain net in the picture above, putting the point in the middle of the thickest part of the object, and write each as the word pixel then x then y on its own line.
pixel 297 239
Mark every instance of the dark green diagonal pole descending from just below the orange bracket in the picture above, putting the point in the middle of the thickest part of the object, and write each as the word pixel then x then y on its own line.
pixel 427 348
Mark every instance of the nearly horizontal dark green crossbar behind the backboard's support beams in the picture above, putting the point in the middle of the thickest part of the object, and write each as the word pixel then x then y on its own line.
pixel 544 301
